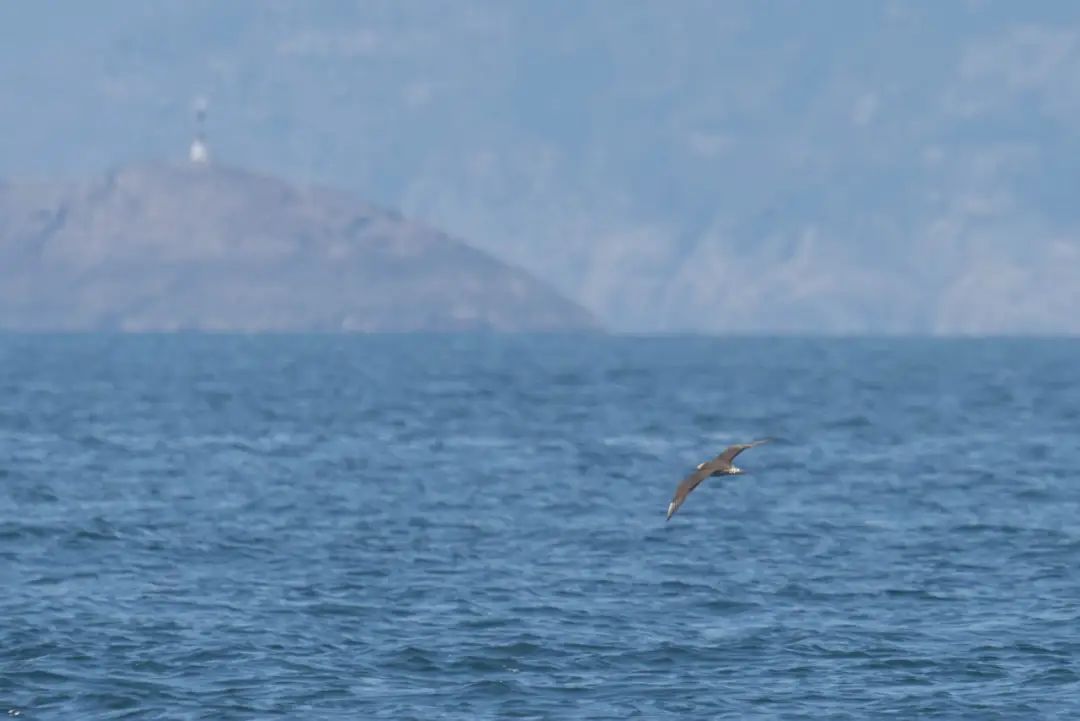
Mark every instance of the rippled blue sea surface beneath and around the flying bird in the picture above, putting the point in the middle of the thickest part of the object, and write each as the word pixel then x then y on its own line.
pixel 468 527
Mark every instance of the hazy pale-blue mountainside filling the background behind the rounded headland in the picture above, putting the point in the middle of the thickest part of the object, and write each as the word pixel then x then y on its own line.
pixel 892 167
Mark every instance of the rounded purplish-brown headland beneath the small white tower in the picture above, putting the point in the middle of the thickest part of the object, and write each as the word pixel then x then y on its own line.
pixel 195 247
